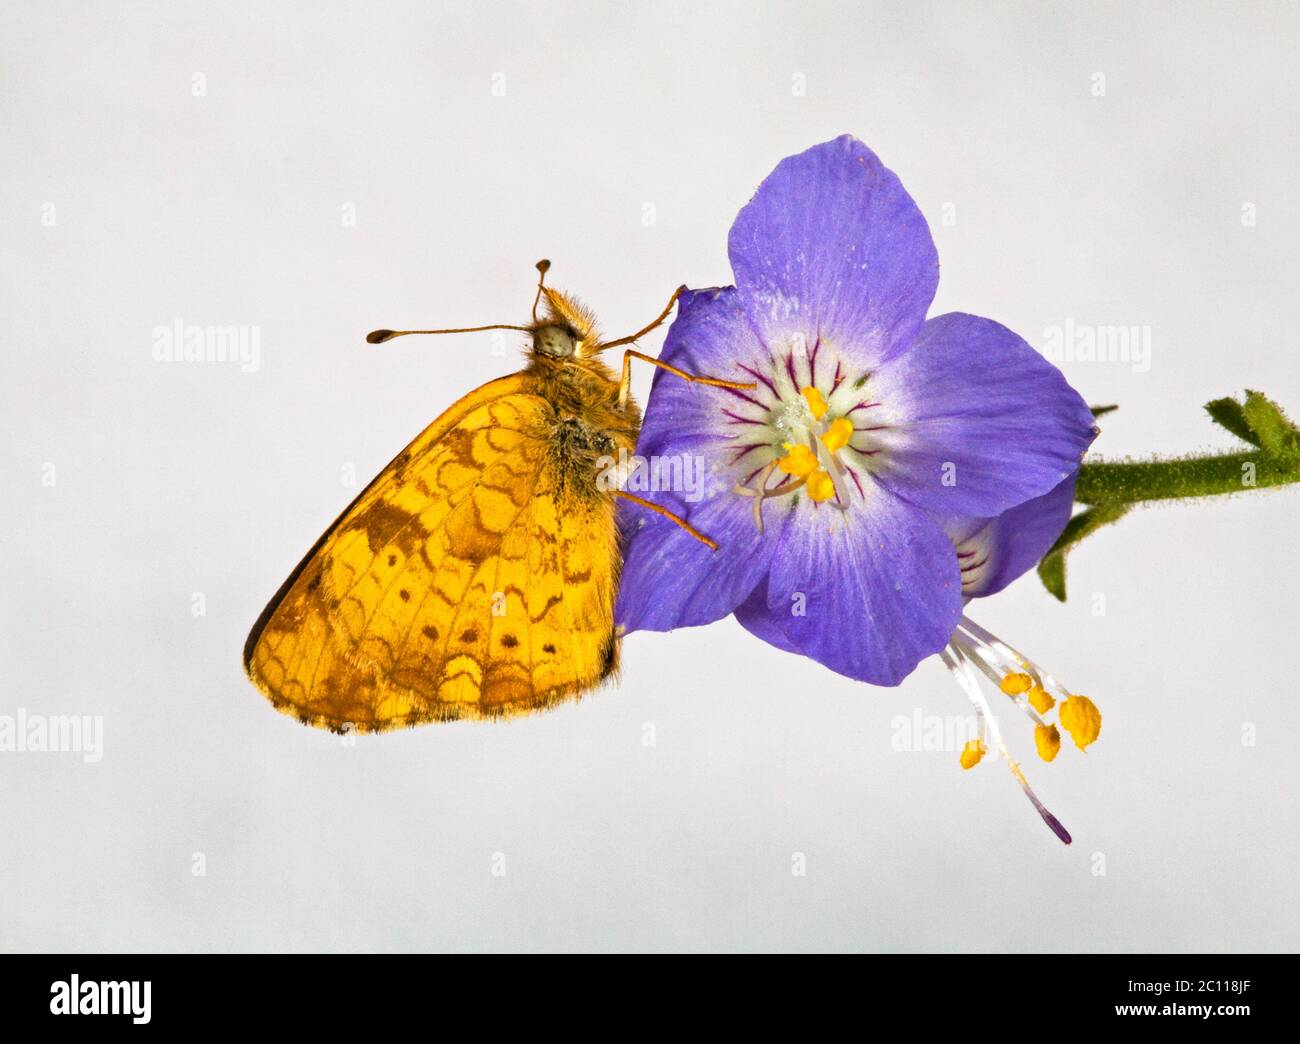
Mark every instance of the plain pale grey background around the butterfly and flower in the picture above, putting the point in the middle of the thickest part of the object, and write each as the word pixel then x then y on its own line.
pixel 471 140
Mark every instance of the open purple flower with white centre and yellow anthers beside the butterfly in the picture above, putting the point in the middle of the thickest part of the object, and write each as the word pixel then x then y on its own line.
pixel 874 439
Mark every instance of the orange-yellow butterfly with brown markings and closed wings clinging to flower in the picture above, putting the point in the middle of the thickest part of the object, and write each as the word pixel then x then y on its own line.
pixel 475 578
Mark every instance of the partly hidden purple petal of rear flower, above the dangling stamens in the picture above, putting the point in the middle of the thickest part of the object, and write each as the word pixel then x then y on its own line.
pixel 995 552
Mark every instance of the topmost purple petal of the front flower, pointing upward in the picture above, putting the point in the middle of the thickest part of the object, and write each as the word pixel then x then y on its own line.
pixel 833 245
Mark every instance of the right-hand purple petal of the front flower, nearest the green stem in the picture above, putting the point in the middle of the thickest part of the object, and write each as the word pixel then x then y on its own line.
pixel 978 421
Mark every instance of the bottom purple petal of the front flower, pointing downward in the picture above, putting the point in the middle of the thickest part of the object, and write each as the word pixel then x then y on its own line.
pixel 869 594
